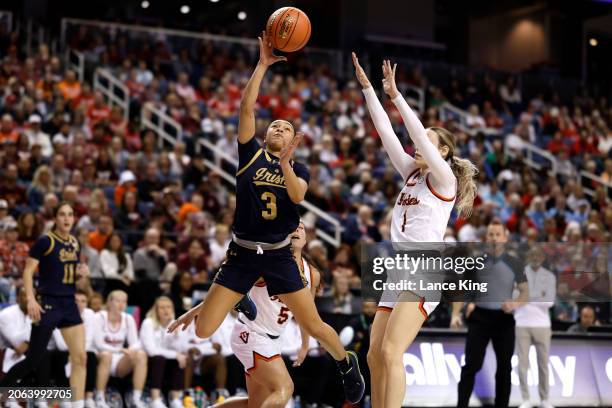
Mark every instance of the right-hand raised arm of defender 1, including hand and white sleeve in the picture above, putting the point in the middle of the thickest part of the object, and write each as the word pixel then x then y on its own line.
pixel 439 167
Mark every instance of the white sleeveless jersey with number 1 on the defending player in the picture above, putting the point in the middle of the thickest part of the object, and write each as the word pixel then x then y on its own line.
pixel 420 213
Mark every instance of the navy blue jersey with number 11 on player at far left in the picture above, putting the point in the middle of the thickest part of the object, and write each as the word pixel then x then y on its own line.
pixel 58 259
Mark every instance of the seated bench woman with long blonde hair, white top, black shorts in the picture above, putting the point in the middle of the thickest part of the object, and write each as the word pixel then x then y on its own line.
pixel 164 351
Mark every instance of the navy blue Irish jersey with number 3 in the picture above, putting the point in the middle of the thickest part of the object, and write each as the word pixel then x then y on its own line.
pixel 264 211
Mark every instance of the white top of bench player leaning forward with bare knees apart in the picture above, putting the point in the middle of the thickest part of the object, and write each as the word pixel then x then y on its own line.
pixel 107 338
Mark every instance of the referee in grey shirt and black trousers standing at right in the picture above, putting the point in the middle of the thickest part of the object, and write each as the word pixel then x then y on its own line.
pixel 490 317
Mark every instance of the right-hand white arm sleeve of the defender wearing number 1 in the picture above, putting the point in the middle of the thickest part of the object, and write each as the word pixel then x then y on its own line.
pixel 444 179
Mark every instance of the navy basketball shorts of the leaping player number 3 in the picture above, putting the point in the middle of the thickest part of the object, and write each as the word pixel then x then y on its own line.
pixel 244 267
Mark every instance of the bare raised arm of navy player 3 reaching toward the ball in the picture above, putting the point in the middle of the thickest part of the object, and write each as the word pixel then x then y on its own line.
pixel 246 124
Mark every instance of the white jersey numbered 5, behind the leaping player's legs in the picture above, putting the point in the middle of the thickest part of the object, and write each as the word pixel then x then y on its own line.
pixel 272 314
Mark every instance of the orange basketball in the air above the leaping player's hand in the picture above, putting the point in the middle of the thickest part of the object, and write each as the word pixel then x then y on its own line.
pixel 289 29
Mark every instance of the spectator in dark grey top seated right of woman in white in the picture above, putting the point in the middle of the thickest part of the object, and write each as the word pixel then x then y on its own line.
pixel 150 260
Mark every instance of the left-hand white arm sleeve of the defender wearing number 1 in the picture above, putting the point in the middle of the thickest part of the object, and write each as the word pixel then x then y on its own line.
pixel 401 160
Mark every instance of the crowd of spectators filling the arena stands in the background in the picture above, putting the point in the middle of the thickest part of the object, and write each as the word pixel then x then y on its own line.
pixel 156 221
